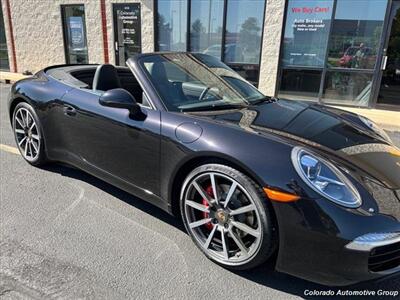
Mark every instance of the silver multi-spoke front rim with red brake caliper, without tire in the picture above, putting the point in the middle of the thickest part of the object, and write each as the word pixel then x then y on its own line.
pixel 223 218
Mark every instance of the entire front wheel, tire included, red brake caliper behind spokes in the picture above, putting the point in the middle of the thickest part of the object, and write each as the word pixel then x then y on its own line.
pixel 227 216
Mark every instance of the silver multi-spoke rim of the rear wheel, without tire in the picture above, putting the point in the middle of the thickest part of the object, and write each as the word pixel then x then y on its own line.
pixel 27 134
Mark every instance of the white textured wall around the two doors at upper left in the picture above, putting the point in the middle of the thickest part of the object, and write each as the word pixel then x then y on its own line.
pixel 38 31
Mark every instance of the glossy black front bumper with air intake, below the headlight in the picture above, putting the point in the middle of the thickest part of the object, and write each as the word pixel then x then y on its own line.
pixel 328 244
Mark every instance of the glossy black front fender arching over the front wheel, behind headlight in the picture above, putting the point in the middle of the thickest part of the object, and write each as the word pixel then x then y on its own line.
pixel 266 160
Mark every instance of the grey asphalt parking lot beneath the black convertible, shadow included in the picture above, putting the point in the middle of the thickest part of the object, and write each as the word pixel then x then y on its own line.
pixel 66 234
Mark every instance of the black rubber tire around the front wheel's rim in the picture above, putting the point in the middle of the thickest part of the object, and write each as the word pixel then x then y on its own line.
pixel 269 240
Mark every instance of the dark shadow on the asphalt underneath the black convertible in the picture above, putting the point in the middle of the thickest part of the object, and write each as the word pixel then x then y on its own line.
pixel 265 274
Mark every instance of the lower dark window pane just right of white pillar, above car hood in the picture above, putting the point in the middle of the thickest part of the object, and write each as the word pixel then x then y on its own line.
pixel 300 84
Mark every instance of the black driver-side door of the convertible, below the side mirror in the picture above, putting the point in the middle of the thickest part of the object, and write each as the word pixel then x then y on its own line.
pixel 109 141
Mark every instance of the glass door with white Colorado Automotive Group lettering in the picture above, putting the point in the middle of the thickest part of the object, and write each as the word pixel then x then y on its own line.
pixel 127 31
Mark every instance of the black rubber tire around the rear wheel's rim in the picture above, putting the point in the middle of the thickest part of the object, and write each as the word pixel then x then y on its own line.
pixel 40 158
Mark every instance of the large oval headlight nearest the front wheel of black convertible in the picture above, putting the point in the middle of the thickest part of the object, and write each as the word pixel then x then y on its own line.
pixel 323 177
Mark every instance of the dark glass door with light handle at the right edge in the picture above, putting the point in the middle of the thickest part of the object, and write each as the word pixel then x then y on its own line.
pixel 389 93
